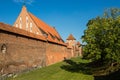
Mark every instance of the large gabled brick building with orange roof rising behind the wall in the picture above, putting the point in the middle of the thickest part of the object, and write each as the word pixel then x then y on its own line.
pixel 28 22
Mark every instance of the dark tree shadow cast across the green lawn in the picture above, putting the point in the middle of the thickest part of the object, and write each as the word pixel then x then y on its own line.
pixel 90 69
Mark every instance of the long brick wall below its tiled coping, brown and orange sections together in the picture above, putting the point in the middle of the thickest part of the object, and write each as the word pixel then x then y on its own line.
pixel 23 52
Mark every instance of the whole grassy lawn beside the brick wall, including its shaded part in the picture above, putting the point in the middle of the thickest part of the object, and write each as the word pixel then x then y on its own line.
pixel 73 69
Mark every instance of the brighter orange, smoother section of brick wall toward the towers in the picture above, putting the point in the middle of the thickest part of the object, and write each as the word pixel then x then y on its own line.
pixel 54 53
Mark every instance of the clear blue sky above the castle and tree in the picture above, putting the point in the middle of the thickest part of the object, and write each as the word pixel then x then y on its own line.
pixel 67 16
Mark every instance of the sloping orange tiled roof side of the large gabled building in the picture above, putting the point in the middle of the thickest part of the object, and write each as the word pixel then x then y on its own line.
pixel 52 34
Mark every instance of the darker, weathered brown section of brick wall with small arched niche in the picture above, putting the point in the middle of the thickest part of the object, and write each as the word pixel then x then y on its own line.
pixel 22 53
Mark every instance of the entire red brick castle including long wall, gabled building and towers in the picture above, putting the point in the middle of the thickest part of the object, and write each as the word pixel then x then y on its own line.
pixel 31 43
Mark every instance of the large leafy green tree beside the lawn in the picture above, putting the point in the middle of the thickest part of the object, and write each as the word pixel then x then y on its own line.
pixel 102 37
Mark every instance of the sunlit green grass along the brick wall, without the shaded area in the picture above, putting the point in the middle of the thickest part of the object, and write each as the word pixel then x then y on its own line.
pixel 54 72
